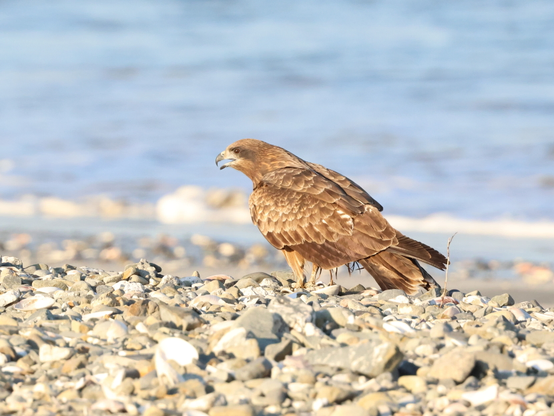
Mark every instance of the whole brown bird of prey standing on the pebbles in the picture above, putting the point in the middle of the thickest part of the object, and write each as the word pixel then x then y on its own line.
pixel 315 214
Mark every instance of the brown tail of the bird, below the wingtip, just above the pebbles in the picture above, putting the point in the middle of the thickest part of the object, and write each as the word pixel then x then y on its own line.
pixel 394 271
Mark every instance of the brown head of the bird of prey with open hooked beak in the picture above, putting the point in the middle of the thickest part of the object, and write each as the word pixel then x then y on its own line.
pixel 255 158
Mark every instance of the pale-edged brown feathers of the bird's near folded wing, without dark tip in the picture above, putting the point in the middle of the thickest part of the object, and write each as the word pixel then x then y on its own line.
pixel 306 212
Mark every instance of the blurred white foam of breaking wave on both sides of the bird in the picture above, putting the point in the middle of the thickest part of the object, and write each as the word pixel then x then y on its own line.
pixel 196 205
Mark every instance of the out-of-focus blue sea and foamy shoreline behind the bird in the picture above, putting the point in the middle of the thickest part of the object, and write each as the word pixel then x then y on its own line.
pixel 112 113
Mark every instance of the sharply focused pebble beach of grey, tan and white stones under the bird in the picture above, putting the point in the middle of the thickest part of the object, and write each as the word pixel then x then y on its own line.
pixel 83 340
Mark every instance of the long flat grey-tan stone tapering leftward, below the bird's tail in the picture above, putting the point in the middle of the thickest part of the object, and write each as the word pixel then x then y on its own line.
pixel 371 358
